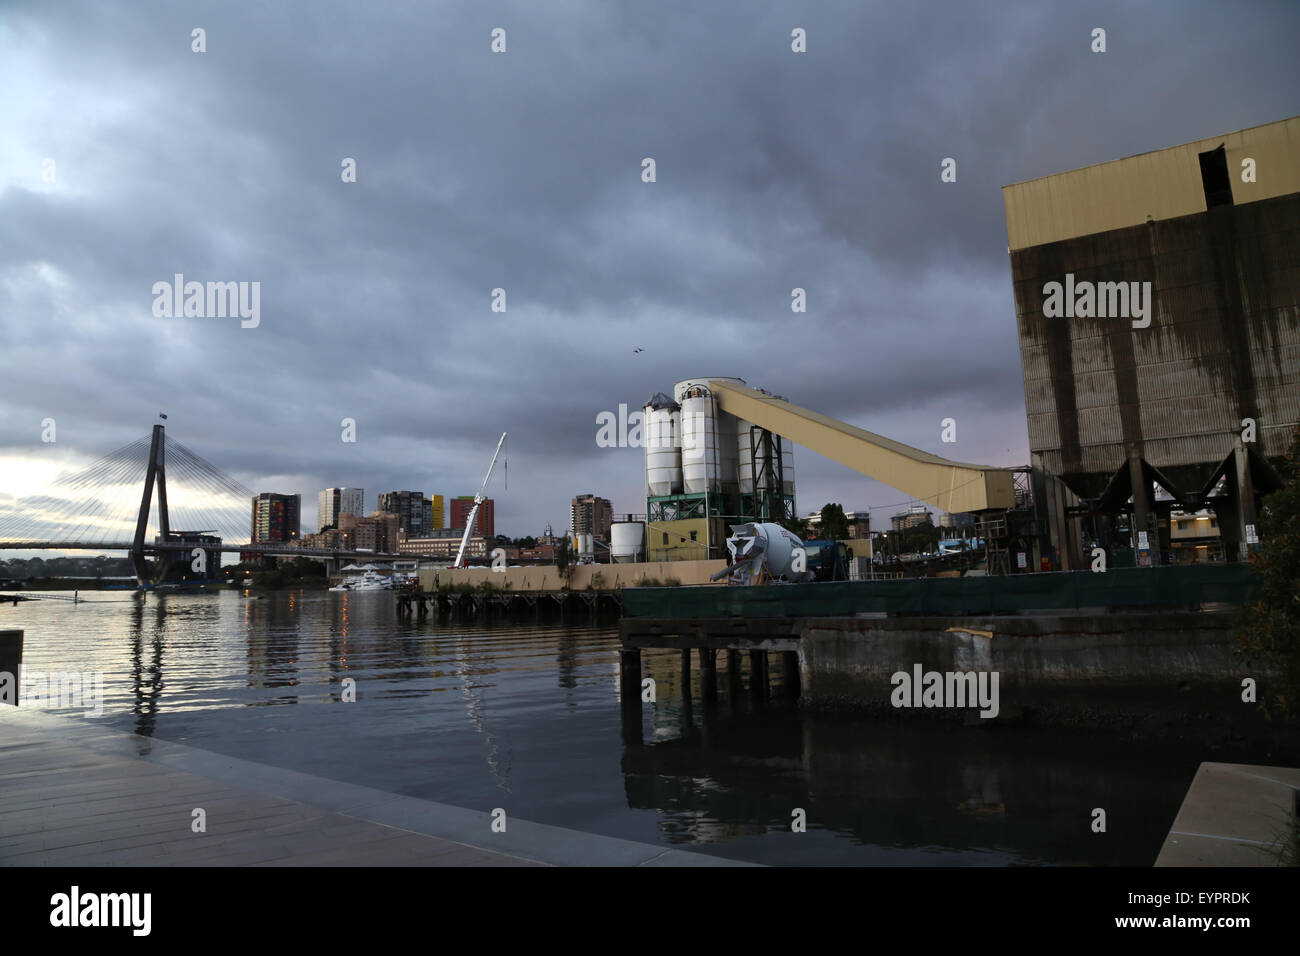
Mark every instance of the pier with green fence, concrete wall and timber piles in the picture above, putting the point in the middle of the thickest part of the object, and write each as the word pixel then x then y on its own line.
pixel 1067 646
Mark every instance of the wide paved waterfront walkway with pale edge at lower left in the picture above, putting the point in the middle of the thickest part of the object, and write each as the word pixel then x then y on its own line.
pixel 76 795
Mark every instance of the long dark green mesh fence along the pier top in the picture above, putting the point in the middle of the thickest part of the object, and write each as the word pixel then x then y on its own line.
pixel 1136 587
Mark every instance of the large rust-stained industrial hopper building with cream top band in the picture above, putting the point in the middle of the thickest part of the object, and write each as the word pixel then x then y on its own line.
pixel 1158 304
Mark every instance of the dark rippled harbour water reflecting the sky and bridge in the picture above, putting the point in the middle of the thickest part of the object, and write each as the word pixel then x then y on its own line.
pixel 528 719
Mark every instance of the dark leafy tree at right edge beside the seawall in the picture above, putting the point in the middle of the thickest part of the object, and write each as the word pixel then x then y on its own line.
pixel 1269 624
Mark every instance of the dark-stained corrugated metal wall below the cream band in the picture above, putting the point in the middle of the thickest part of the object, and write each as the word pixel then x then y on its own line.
pixel 1224 344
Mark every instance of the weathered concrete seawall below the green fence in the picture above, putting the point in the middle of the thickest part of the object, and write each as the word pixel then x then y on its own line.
pixel 1154 667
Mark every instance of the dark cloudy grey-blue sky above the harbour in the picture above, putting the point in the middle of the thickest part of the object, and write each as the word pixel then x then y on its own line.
pixel 523 171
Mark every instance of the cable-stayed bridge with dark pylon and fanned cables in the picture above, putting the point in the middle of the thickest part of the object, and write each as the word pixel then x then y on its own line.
pixel 151 499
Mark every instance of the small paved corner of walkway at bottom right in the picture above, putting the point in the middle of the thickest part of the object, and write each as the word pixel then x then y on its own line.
pixel 1234 815
